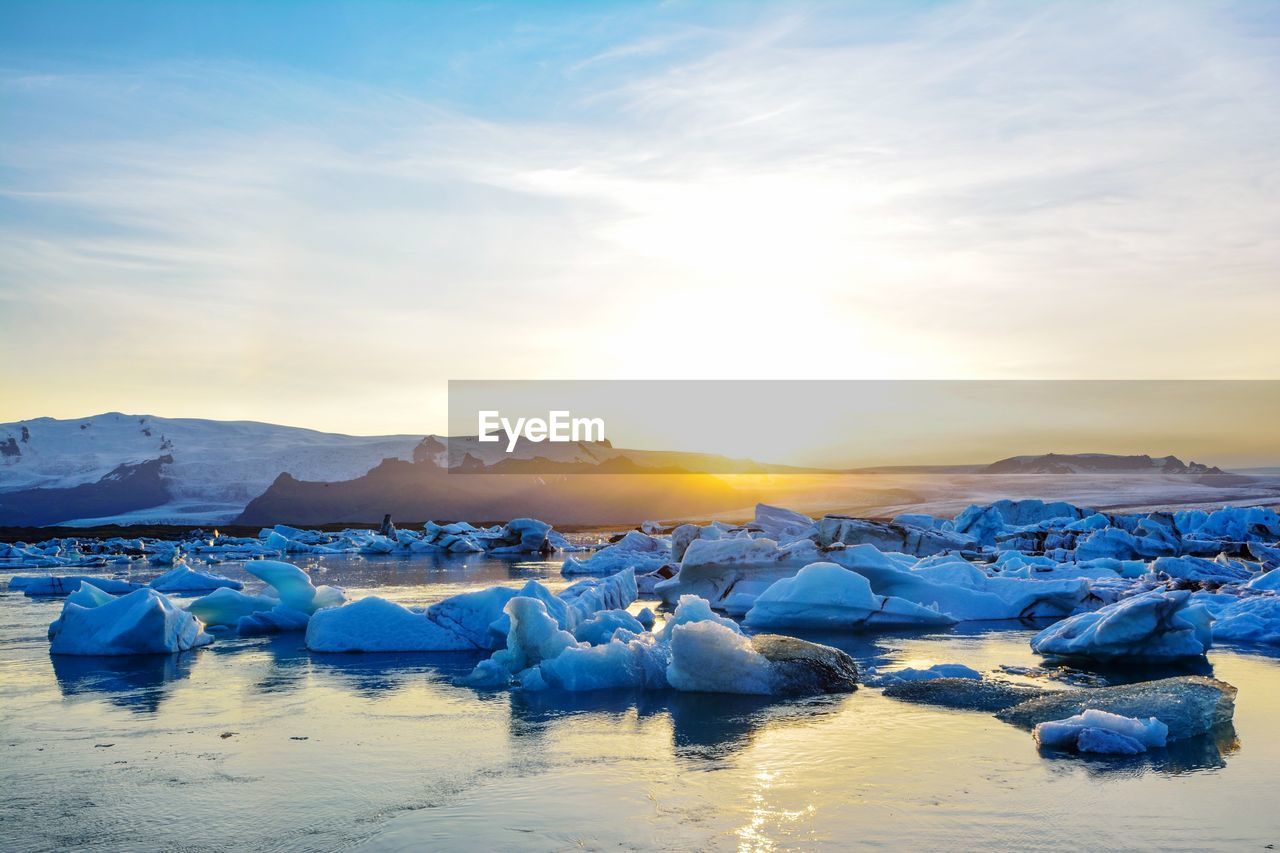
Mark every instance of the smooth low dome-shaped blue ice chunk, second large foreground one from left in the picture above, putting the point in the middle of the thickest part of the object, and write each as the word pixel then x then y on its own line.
pixel 374 624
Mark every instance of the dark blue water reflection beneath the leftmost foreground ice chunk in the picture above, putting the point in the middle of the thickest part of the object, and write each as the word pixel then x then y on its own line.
pixel 139 683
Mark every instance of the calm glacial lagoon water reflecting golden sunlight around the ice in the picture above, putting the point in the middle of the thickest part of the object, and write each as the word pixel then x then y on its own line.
pixel 260 745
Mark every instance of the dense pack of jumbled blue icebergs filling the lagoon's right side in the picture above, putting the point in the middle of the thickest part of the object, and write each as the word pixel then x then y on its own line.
pixel 1195 576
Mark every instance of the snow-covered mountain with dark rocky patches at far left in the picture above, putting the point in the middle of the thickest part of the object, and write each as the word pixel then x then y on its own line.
pixel 115 467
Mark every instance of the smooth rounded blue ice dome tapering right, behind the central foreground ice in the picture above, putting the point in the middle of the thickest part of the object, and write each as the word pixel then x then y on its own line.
pixel 828 596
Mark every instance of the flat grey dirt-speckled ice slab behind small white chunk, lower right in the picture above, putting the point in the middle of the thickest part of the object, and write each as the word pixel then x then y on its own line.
pixel 1190 705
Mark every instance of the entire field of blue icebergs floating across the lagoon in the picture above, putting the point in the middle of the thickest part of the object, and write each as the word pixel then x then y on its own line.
pixel 1122 589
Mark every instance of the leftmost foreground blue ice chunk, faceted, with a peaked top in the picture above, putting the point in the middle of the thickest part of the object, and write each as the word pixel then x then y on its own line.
pixel 140 623
